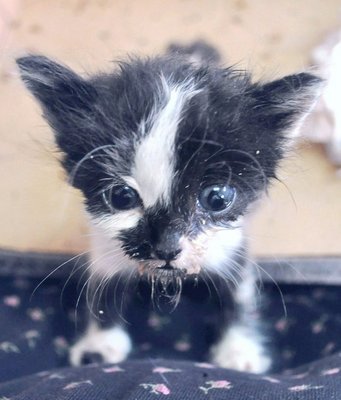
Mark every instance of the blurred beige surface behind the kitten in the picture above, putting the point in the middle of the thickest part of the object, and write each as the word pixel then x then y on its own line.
pixel 38 211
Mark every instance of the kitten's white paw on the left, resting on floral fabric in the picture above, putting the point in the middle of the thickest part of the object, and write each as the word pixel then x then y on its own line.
pixel 111 345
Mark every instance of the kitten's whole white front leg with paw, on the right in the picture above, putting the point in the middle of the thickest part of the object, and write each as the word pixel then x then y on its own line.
pixel 241 346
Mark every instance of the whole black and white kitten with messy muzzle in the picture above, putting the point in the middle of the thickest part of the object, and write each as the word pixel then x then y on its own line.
pixel 170 153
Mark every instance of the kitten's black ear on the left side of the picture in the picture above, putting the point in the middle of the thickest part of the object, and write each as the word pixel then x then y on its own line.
pixel 63 94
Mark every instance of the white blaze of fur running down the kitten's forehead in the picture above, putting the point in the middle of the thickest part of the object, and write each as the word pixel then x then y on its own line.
pixel 154 163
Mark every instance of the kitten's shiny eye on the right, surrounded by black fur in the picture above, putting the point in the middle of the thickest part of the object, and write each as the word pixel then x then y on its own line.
pixel 217 197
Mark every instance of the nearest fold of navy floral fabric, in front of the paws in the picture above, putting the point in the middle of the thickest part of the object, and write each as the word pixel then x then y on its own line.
pixel 158 379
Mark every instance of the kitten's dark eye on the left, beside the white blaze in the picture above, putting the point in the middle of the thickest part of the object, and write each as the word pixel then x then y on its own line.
pixel 121 198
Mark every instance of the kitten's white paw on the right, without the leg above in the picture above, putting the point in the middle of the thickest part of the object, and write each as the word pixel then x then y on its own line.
pixel 240 349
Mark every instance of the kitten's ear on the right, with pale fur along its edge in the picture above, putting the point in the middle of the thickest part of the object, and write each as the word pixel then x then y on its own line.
pixel 282 105
